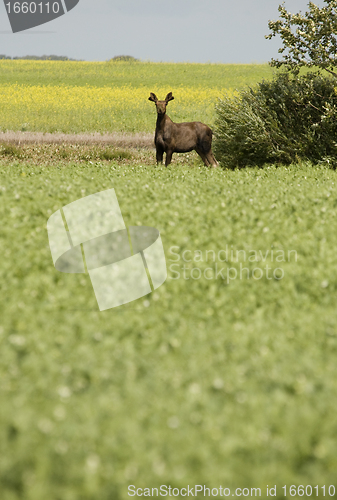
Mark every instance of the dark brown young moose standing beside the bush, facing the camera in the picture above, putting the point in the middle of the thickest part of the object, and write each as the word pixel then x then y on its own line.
pixel 173 137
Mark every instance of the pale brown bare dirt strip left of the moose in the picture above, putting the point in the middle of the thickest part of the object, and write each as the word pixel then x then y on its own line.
pixel 117 139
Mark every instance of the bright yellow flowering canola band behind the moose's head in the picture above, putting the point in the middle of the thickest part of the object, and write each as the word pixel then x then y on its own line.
pixel 65 108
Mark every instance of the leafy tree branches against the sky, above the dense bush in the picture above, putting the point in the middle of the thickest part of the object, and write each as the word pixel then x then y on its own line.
pixel 308 40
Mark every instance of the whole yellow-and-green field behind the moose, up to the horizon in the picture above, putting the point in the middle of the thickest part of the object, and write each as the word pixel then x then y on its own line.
pixel 76 97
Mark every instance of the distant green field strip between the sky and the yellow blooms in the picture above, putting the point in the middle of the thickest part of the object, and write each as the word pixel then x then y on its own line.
pixel 135 74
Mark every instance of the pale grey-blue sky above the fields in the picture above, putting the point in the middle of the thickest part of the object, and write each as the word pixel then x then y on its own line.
pixel 217 31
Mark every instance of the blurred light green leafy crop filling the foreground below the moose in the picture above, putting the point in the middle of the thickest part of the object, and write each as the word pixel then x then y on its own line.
pixel 201 382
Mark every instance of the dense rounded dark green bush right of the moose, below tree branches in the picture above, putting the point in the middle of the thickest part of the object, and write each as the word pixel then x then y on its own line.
pixel 280 121
